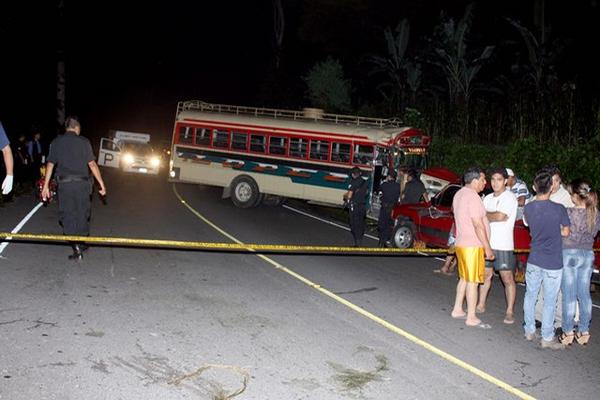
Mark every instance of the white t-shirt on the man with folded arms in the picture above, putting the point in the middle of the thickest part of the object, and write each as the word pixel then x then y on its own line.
pixel 502 232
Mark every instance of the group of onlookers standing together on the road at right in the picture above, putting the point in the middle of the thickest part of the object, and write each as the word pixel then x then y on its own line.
pixel 563 221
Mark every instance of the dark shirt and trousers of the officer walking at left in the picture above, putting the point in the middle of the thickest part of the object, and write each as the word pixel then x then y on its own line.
pixel 71 154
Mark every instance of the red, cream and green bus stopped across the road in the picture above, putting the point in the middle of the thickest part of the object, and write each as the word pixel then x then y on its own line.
pixel 261 155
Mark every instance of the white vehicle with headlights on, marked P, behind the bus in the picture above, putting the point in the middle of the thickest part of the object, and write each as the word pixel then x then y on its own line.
pixel 130 152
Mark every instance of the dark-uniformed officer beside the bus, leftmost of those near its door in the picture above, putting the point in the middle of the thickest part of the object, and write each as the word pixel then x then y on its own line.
pixel 356 196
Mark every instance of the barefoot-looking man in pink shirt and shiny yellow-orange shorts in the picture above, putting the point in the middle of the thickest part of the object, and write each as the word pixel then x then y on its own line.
pixel 472 244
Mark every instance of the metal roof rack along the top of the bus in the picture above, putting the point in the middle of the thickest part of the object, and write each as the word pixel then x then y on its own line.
pixel 312 114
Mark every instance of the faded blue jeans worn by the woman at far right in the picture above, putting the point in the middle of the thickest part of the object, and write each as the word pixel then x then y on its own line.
pixel 575 286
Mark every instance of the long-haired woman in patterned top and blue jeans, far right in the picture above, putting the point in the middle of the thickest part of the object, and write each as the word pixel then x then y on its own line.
pixel 578 259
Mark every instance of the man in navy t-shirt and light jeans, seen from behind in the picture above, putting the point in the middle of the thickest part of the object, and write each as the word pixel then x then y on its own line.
pixel 548 224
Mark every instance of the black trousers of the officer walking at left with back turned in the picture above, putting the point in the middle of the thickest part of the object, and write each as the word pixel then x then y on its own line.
pixel 75 207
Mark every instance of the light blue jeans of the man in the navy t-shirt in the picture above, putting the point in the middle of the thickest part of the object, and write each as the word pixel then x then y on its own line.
pixel 535 277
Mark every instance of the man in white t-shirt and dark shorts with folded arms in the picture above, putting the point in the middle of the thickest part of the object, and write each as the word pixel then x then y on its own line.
pixel 501 208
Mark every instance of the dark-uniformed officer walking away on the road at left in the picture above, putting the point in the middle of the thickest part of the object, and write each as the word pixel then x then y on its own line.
pixel 73 157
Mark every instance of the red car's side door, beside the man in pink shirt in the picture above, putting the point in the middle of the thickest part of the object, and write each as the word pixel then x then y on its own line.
pixel 436 220
